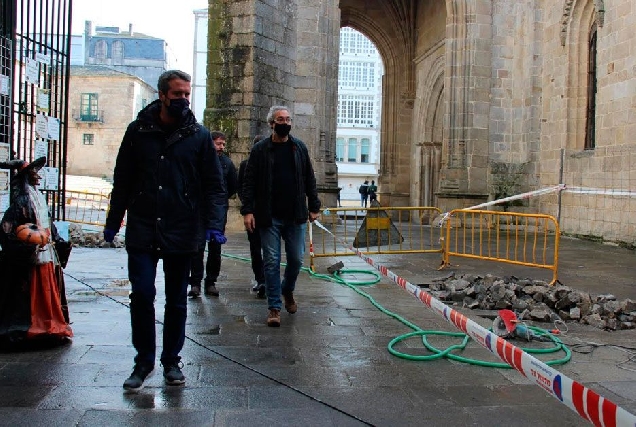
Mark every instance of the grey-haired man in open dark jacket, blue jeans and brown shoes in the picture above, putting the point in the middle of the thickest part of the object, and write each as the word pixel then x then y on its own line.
pixel 279 197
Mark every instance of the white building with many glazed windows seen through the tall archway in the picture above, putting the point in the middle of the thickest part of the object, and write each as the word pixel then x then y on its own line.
pixel 359 104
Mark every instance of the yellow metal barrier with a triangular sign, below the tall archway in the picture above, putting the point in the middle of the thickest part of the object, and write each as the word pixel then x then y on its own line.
pixel 378 230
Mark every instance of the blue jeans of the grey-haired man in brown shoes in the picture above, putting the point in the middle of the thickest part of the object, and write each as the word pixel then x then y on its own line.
pixel 293 234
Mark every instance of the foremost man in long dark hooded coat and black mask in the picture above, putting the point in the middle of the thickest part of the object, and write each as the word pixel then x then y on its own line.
pixel 169 180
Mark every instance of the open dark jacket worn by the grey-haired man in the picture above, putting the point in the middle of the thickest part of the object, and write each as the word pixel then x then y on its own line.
pixel 256 188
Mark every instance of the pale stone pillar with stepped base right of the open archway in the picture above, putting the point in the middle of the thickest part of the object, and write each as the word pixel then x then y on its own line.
pixel 464 174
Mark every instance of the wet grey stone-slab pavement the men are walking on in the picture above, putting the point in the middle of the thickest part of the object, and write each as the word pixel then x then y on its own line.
pixel 327 365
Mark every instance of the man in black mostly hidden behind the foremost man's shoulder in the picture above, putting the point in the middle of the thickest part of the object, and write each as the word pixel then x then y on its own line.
pixel 213 263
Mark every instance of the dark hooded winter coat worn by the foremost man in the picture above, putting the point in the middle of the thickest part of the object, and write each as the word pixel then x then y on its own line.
pixel 171 185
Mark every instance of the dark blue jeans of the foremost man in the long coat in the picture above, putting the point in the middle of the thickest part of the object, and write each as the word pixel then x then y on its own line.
pixel 142 270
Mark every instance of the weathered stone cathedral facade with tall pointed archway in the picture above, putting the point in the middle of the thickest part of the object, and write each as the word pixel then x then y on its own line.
pixel 482 99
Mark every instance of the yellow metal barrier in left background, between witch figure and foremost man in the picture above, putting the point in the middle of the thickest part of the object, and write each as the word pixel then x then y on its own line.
pixel 87 207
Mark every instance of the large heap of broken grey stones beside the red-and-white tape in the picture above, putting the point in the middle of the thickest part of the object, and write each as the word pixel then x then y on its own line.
pixel 535 300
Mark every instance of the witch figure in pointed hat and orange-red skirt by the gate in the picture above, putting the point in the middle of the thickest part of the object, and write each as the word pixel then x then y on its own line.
pixel 33 307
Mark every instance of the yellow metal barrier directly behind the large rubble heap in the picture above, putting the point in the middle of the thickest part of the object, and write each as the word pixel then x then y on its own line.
pixel 530 240
